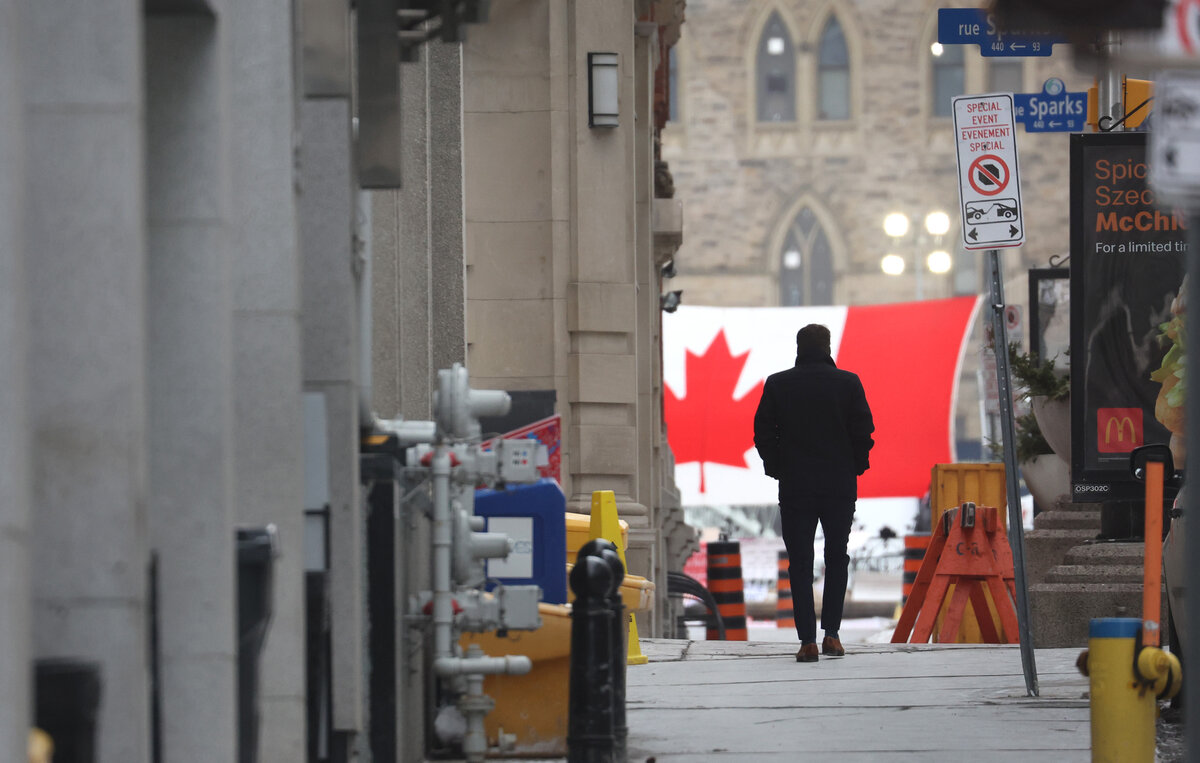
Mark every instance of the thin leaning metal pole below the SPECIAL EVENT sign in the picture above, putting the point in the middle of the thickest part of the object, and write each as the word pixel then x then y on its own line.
pixel 1016 527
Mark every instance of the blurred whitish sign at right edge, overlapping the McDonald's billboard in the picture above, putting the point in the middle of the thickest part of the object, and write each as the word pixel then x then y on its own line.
pixel 1175 140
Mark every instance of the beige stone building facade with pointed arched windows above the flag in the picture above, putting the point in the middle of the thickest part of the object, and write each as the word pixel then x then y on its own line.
pixel 865 131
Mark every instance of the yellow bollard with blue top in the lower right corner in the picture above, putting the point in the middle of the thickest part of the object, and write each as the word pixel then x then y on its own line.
pixel 1124 711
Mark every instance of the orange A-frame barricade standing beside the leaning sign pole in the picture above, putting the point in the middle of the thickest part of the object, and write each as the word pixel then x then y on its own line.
pixel 969 551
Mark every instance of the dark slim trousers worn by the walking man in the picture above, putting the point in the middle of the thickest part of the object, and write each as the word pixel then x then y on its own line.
pixel 800 519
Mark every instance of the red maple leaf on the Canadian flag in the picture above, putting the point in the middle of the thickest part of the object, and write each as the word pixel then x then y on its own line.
pixel 709 425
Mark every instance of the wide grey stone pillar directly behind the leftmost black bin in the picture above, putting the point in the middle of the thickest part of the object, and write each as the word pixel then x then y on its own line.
pixel 85 218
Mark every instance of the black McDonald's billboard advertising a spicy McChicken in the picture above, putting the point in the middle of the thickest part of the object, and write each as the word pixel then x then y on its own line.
pixel 1127 269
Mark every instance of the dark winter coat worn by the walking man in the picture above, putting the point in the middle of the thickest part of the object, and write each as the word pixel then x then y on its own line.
pixel 813 429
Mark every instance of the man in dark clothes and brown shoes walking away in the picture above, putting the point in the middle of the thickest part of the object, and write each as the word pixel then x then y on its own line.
pixel 813 431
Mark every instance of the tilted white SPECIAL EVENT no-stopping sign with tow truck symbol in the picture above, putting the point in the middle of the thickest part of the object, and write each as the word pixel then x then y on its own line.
pixel 989 187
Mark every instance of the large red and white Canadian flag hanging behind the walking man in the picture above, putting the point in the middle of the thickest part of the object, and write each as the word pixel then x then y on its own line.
pixel 716 361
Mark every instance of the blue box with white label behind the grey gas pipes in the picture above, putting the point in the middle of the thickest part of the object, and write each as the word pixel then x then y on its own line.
pixel 535 516
